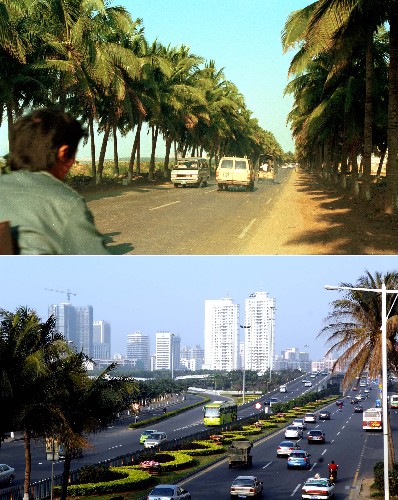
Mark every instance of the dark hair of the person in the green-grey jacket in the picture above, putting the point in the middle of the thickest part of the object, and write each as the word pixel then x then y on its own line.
pixel 36 138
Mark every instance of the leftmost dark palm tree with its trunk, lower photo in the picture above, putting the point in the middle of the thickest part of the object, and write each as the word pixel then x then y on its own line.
pixel 27 346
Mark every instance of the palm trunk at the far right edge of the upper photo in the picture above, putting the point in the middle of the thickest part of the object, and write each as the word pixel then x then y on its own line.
pixel 392 131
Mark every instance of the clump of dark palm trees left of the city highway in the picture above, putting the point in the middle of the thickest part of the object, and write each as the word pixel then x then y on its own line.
pixel 47 392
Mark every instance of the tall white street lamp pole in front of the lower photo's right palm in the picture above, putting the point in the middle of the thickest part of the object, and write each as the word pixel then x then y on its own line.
pixel 383 292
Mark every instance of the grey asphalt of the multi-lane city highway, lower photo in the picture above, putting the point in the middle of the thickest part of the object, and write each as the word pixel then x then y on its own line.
pixel 354 450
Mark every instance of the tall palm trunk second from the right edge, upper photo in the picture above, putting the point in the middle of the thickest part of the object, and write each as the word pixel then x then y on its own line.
pixel 368 120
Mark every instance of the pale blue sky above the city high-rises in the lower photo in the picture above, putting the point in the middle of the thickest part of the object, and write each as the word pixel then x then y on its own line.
pixel 167 293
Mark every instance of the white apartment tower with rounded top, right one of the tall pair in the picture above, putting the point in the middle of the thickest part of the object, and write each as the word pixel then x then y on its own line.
pixel 259 332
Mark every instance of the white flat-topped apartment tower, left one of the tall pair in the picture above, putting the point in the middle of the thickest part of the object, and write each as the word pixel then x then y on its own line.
pixel 221 334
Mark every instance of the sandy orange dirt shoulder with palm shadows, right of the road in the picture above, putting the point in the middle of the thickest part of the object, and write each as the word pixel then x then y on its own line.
pixel 312 217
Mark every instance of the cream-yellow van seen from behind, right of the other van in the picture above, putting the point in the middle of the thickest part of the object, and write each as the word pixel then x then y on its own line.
pixel 233 171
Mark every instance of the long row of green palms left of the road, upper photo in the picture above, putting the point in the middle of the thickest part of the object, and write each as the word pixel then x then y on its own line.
pixel 93 60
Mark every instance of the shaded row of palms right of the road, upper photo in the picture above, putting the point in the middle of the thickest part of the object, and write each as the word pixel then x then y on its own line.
pixel 345 88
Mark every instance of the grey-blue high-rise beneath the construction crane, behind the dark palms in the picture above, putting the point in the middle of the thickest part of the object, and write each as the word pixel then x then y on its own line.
pixel 76 324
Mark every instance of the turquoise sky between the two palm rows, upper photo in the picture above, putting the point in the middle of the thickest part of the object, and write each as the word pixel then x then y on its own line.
pixel 241 36
